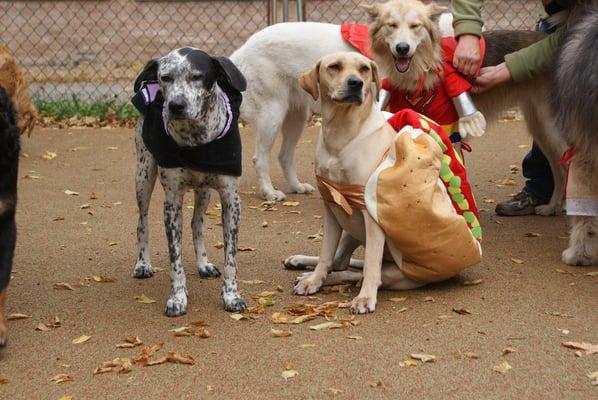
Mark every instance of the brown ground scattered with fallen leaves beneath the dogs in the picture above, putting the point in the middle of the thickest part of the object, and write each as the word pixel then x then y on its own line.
pixel 532 306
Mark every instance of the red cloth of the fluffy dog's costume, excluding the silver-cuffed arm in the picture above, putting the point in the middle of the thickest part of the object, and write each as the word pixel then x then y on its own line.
pixel 436 103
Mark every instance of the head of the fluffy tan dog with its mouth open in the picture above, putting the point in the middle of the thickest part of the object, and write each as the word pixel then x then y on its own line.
pixel 412 22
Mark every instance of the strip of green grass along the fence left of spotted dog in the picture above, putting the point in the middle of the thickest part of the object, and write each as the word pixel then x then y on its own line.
pixel 102 109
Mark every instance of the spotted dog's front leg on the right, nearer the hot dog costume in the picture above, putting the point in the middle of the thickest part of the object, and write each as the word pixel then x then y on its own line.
pixel 231 218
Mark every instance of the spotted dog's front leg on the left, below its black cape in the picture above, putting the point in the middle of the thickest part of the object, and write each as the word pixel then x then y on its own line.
pixel 173 222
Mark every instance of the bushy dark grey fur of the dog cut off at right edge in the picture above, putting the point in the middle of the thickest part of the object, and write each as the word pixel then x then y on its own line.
pixel 575 94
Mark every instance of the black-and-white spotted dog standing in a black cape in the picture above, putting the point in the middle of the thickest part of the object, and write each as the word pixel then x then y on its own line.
pixel 188 134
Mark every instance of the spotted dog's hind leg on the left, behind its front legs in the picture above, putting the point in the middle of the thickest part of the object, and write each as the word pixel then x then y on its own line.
pixel 145 179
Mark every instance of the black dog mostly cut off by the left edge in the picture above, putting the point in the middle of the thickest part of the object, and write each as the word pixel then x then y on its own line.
pixel 9 163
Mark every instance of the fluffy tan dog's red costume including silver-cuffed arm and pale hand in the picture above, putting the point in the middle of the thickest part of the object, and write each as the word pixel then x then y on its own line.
pixel 448 103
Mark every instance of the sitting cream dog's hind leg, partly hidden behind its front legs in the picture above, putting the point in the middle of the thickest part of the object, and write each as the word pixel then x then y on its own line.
pixel 342 258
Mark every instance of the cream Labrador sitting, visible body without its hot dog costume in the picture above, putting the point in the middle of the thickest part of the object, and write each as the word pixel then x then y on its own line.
pixel 353 140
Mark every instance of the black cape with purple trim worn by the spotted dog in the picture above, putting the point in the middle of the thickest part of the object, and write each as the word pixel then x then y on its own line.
pixel 222 155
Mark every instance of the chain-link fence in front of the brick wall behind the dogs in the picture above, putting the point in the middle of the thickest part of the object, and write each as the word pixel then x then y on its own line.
pixel 94 49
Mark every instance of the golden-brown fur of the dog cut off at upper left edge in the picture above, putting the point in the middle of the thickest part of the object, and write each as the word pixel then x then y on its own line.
pixel 13 81
